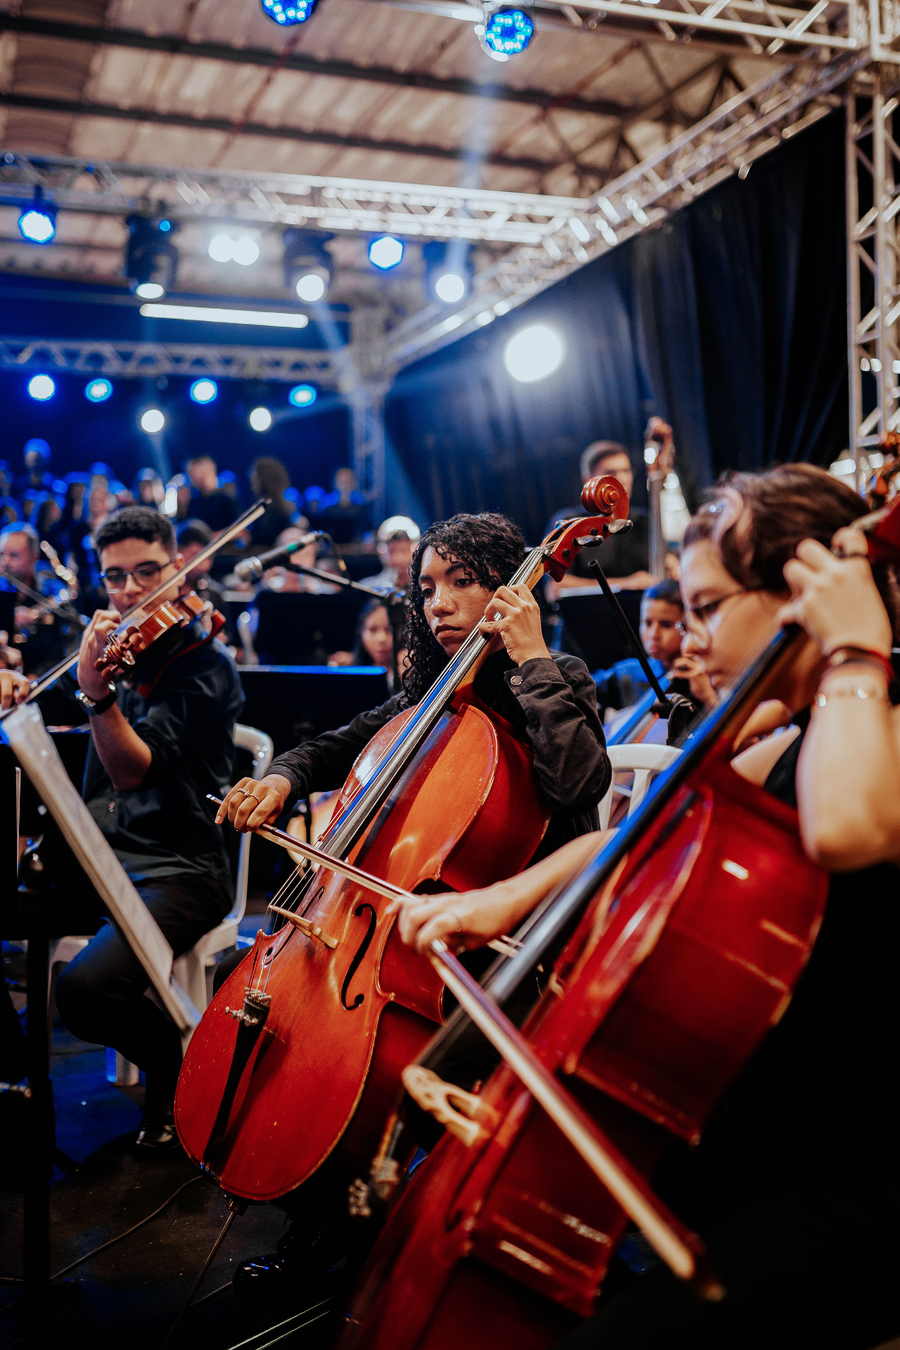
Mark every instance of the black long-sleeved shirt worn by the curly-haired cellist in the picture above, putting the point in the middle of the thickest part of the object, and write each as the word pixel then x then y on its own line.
pixel 550 703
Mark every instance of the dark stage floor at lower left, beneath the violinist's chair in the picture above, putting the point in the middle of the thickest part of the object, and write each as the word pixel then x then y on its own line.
pixel 130 1294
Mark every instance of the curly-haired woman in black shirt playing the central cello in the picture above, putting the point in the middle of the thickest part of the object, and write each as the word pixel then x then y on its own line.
pixel 550 703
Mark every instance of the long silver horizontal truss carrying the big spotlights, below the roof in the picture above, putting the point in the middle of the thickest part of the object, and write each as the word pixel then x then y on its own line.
pixel 335 205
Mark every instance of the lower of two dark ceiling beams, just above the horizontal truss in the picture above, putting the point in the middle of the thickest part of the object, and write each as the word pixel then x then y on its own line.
pixel 76 109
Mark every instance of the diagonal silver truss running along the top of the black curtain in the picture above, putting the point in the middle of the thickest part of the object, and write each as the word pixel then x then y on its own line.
pixel 727 142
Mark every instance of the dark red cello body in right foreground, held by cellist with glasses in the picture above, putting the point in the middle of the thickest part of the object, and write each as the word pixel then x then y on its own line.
pixel 704 917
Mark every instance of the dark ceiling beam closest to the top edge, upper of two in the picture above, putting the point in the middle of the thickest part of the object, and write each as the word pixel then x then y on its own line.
pixel 265 57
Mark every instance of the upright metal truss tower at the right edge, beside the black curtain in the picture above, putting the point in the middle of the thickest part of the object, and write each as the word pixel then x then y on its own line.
pixel 874 248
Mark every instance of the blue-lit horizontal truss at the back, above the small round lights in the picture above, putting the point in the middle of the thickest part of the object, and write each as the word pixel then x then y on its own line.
pixel 130 360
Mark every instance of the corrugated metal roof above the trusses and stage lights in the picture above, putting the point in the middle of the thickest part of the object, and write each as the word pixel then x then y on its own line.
pixel 213 107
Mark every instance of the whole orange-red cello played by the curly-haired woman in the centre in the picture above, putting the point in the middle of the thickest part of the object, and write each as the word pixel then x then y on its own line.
pixel 303 1046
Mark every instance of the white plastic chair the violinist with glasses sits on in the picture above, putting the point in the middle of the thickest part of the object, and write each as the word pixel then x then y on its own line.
pixel 191 969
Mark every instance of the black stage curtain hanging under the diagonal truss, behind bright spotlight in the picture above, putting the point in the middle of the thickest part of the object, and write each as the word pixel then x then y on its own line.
pixel 729 321
